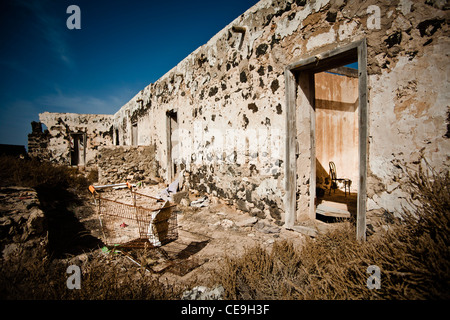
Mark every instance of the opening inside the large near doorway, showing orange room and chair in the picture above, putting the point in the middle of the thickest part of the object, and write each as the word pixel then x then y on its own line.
pixel 336 140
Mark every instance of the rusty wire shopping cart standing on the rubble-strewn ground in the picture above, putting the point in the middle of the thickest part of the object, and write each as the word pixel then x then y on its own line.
pixel 129 225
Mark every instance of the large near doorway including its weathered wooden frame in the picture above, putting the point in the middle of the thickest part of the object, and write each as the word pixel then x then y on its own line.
pixel 307 115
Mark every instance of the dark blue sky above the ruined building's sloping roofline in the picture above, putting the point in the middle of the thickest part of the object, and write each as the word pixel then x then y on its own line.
pixel 122 47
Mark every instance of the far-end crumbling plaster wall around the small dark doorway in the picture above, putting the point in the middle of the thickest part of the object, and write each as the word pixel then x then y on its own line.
pixel 98 130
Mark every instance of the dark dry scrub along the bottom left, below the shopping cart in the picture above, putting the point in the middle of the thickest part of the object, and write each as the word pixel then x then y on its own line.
pixel 104 277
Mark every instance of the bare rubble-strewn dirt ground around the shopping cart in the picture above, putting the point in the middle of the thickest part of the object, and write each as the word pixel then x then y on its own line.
pixel 206 235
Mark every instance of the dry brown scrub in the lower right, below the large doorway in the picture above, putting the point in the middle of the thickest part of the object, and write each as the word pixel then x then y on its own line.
pixel 413 257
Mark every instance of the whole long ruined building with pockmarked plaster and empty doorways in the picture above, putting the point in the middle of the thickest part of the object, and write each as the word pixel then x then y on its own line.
pixel 258 114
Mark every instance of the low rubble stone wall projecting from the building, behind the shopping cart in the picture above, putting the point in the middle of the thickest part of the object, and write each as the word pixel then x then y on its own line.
pixel 118 164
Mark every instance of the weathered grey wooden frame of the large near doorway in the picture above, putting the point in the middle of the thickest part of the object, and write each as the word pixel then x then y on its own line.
pixel 306 68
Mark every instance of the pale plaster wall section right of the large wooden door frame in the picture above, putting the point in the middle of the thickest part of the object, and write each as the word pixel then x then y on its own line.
pixel 409 123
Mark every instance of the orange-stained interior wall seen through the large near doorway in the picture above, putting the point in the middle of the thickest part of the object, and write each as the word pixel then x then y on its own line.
pixel 336 134
